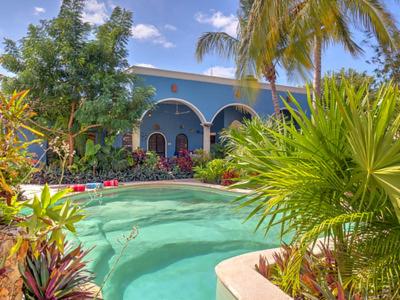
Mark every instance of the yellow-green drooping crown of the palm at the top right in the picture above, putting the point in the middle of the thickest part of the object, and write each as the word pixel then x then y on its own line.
pixel 295 30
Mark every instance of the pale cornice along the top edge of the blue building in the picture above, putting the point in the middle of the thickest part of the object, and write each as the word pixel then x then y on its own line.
pixel 206 78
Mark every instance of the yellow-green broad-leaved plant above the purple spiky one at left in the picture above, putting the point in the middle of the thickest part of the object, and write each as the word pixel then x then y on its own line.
pixel 50 217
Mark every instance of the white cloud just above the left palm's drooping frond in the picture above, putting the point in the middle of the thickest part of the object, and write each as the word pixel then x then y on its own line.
pixel 219 21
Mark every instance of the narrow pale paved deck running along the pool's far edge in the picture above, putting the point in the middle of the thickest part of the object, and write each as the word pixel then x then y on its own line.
pixel 30 190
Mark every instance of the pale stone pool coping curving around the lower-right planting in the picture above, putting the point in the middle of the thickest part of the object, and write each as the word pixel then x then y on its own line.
pixel 237 278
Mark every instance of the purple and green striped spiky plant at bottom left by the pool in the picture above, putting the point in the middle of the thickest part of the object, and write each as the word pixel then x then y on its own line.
pixel 52 274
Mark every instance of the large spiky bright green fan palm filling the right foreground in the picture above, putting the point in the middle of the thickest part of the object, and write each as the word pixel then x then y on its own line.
pixel 335 175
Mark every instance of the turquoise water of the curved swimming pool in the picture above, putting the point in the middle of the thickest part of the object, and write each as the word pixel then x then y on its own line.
pixel 183 233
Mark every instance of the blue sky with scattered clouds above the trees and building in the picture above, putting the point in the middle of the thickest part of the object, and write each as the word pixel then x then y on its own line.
pixel 165 31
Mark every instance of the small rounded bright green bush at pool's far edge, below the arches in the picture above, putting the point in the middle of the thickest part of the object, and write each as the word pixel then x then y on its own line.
pixel 212 172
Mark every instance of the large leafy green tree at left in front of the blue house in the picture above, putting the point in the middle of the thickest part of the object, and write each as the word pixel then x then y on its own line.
pixel 76 73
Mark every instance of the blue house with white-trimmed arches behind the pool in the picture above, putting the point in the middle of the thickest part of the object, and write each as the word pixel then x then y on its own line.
pixel 191 110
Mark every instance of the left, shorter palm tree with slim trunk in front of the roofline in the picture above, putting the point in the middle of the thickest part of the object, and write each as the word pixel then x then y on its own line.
pixel 228 46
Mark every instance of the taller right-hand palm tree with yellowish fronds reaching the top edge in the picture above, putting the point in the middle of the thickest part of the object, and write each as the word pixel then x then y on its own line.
pixel 318 22
